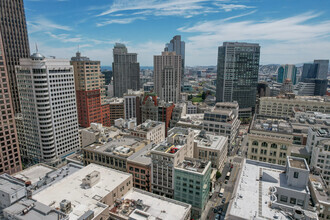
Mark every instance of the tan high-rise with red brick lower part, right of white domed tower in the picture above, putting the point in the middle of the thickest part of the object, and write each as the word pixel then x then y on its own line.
pixel 90 91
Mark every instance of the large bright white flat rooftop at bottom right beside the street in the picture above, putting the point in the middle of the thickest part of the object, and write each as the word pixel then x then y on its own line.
pixel 251 196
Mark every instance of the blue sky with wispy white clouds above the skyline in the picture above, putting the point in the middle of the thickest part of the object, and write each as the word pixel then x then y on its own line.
pixel 289 31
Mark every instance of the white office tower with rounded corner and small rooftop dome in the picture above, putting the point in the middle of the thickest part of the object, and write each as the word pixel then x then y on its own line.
pixel 48 100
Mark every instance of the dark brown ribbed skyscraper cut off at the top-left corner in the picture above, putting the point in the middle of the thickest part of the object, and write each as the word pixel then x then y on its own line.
pixel 15 41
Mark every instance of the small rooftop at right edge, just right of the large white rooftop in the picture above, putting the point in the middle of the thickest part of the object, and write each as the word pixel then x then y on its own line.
pixel 320 189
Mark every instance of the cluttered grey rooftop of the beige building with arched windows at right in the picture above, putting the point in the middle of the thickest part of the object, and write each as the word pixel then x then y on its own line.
pixel 271 124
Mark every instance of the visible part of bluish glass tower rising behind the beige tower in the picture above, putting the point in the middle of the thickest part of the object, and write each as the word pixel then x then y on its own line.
pixel 179 48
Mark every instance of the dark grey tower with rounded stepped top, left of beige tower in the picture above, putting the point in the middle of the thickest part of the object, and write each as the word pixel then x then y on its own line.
pixel 125 70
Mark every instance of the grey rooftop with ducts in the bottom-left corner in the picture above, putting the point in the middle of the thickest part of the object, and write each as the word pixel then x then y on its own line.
pixel 34 211
